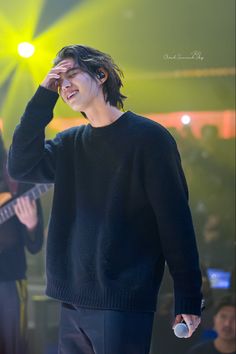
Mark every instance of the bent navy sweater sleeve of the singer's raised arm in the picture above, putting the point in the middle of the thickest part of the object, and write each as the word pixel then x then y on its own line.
pixel 30 157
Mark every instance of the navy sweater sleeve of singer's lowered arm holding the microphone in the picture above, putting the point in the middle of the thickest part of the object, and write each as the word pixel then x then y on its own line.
pixel 168 194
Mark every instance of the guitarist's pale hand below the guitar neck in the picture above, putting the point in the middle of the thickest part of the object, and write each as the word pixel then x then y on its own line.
pixel 26 211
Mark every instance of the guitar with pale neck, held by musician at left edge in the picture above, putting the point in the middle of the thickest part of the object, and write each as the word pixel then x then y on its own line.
pixel 7 210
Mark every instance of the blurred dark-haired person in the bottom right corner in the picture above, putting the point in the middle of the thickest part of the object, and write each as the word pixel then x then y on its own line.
pixel 224 325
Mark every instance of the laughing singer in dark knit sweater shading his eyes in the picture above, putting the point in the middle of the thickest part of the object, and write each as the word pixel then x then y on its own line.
pixel 120 209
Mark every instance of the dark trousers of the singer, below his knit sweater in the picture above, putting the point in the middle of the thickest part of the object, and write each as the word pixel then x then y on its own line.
pixel 89 331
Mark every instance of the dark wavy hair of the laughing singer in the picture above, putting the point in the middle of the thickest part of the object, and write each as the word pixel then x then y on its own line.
pixel 90 60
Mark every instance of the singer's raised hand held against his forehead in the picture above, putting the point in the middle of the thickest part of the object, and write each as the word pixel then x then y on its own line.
pixel 52 79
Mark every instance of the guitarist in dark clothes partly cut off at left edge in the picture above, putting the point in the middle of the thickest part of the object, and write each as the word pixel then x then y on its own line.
pixel 25 230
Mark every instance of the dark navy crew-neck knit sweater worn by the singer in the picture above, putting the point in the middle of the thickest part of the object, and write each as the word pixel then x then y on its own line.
pixel 120 210
